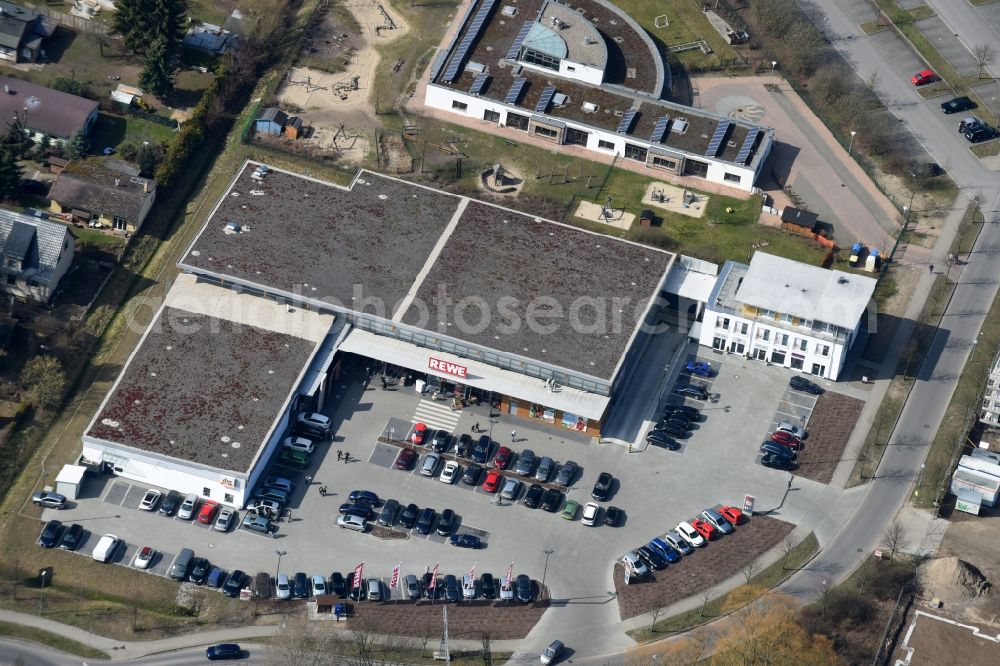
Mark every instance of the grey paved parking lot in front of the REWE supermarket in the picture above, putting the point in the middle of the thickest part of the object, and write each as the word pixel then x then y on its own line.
pixel 655 488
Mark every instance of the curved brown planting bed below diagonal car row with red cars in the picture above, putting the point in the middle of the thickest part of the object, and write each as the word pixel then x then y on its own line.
pixel 706 567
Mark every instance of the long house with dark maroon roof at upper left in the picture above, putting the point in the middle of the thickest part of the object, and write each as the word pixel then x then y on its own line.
pixel 44 111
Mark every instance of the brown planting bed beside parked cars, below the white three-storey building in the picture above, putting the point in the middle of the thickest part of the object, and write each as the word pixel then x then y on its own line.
pixel 830 426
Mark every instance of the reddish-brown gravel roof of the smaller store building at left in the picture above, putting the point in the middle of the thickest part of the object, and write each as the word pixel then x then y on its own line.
pixel 196 380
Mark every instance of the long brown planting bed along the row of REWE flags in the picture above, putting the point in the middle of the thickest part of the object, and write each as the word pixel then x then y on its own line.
pixel 466 620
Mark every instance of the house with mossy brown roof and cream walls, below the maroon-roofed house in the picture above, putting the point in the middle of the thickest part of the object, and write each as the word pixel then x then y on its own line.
pixel 90 193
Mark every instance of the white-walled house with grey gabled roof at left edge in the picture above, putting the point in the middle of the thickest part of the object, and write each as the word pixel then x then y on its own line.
pixel 36 255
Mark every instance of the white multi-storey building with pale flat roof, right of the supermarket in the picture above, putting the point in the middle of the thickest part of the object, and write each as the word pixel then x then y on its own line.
pixel 787 313
